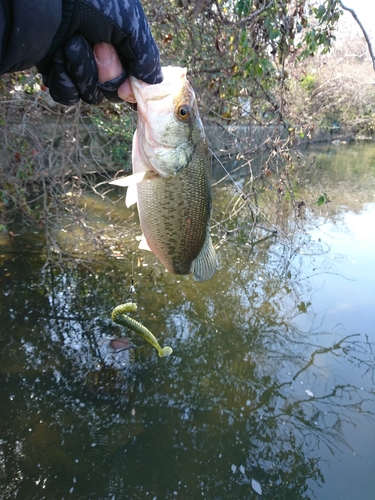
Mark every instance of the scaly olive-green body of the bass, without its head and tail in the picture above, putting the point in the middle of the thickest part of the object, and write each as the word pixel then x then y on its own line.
pixel 176 231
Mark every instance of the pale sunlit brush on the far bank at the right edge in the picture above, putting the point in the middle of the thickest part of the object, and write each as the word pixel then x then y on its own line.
pixel 335 91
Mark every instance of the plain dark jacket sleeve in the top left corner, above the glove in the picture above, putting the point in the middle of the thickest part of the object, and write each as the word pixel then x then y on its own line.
pixel 27 30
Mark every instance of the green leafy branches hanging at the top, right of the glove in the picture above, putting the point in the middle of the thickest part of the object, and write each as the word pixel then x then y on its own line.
pixel 237 49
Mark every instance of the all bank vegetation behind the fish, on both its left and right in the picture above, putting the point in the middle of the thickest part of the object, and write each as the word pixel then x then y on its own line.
pixel 258 63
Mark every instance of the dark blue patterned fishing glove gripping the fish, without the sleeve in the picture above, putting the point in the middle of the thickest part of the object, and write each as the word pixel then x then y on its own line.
pixel 70 69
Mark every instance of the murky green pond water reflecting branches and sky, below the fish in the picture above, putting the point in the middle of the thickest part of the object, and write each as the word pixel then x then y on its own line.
pixel 270 390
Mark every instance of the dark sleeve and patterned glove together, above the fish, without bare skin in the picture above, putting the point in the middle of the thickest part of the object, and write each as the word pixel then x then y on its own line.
pixel 57 36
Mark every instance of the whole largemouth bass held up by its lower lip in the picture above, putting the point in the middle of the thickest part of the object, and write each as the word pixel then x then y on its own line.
pixel 170 181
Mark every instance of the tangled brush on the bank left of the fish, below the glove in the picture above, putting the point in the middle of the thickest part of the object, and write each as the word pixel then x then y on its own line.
pixel 50 155
